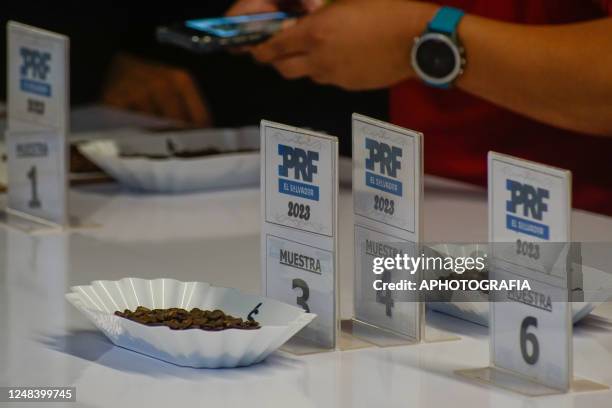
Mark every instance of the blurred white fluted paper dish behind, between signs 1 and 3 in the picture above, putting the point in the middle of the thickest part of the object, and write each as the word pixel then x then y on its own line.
pixel 237 166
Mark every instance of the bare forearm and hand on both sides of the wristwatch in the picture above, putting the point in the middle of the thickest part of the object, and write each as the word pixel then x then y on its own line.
pixel 557 74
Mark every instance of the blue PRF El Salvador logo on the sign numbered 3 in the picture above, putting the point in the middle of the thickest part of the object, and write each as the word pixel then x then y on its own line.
pixel 298 164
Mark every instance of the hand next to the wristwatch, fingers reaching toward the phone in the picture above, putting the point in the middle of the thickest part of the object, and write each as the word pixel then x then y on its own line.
pixel 354 44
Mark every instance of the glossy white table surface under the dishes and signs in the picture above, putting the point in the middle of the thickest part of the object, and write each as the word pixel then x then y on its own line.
pixel 214 237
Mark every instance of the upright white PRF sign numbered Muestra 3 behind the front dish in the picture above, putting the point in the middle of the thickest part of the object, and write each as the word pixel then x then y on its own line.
pixel 299 187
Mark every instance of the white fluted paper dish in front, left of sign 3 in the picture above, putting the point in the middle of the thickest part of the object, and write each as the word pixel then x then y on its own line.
pixel 194 347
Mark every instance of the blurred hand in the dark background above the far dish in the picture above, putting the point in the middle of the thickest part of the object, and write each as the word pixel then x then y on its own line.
pixel 144 86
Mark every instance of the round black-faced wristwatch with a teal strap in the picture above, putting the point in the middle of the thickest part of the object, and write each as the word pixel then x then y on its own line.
pixel 438 57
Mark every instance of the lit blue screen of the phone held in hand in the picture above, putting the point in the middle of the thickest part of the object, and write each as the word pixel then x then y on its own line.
pixel 238 25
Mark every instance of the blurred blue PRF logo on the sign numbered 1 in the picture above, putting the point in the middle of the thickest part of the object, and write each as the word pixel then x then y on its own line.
pixel 34 71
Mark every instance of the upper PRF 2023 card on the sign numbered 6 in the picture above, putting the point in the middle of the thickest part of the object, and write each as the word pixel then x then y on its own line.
pixel 530 205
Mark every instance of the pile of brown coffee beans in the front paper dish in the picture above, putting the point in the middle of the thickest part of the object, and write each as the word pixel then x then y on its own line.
pixel 181 319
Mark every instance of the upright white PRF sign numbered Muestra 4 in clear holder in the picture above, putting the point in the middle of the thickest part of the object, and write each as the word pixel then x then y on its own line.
pixel 387 199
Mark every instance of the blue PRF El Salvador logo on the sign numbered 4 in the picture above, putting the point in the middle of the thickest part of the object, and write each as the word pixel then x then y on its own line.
pixel 383 177
